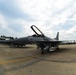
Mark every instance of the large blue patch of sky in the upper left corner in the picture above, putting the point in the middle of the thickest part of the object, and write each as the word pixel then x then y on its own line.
pixel 10 10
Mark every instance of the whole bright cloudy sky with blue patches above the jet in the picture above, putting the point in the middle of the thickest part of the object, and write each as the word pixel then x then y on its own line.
pixel 51 16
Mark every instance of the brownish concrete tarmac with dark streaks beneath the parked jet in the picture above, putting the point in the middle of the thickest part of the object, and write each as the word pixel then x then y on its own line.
pixel 29 61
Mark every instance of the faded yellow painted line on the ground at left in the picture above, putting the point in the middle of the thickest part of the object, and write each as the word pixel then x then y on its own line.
pixel 21 59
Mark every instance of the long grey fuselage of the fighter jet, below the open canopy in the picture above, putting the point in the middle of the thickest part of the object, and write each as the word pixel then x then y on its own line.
pixel 29 40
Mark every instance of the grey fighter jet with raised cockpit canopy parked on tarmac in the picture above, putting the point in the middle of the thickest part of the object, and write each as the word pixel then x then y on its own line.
pixel 43 42
